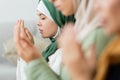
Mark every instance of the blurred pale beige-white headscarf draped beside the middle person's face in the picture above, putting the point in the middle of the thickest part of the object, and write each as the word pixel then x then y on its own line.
pixel 86 19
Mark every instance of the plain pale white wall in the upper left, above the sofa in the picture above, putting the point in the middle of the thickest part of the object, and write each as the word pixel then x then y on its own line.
pixel 11 10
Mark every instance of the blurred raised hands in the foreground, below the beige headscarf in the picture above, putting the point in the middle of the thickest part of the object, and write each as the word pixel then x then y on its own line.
pixel 79 65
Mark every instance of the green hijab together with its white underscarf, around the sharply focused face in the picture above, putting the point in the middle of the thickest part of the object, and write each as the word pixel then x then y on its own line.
pixel 51 12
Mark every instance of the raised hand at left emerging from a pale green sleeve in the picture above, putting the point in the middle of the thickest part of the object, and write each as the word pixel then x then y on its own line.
pixel 26 50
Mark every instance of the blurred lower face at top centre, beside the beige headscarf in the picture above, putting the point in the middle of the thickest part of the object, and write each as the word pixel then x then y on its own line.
pixel 65 6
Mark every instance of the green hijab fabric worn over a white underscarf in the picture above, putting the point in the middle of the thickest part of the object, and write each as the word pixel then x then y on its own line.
pixel 60 20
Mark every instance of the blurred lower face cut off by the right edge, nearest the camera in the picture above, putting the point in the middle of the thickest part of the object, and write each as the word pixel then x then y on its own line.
pixel 109 11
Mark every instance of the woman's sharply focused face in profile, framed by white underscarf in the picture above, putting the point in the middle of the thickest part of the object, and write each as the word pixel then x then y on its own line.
pixel 46 26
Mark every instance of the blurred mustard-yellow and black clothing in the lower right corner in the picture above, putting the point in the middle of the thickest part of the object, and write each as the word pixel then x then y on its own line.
pixel 109 62
